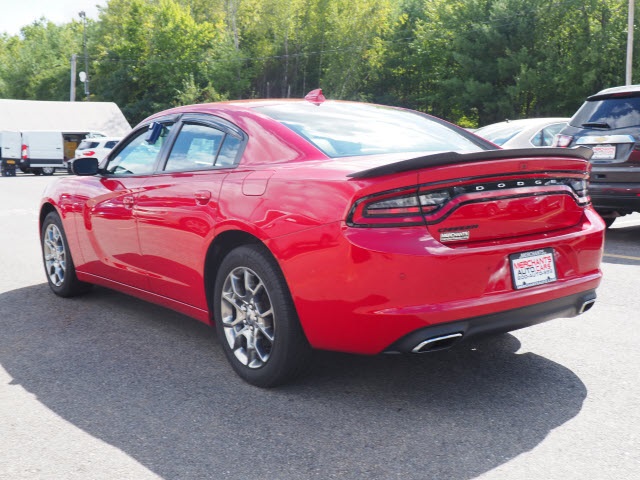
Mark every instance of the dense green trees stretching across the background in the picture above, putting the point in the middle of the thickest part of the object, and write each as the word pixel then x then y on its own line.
pixel 469 61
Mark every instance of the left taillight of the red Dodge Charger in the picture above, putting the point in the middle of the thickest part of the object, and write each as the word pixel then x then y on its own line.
pixel 399 208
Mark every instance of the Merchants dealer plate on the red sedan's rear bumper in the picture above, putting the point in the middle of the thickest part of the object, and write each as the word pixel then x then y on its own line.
pixel 529 269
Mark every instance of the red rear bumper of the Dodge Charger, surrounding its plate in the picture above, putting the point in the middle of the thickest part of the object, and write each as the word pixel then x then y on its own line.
pixel 363 290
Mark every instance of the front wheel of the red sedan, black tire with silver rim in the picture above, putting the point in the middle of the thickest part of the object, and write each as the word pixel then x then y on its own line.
pixel 56 257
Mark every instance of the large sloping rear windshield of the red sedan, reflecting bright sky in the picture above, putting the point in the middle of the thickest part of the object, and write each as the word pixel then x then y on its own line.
pixel 352 129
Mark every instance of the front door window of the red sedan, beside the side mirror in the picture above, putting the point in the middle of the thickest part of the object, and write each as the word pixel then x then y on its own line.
pixel 138 157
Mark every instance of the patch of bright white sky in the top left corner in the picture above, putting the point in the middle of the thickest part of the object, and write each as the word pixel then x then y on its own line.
pixel 15 14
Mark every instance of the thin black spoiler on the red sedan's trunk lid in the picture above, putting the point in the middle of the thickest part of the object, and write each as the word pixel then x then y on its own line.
pixel 449 158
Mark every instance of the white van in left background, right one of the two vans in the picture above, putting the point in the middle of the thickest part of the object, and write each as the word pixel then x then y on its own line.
pixel 42 152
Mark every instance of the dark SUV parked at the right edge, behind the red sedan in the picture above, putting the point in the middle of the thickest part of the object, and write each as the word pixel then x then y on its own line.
pixel 609 124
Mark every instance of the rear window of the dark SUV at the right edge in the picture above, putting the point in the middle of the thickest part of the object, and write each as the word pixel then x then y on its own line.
pixel 610 112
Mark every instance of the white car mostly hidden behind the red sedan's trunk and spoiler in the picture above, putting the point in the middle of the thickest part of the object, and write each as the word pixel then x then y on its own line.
pixel 527 133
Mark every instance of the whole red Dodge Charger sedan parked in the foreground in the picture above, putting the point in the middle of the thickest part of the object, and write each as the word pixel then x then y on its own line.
pixel 294 225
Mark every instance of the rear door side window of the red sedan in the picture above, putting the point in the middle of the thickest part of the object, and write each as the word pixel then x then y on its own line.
pixel 195 148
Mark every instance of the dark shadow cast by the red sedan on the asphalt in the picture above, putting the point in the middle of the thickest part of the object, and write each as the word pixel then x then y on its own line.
pixel 156 385
